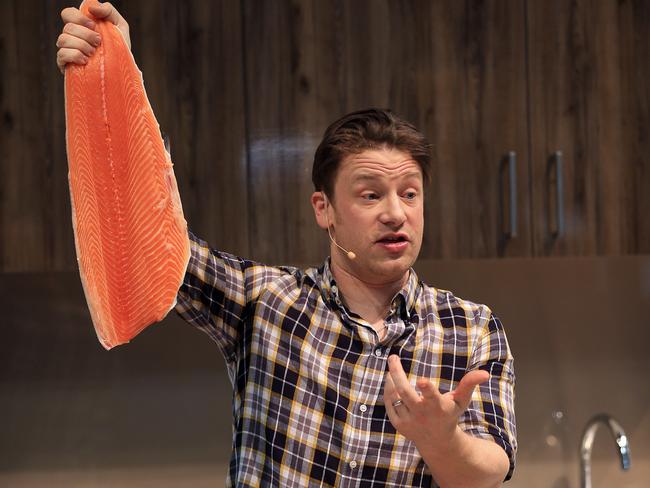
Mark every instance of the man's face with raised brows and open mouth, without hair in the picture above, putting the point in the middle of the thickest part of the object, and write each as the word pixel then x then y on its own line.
pixel 378 213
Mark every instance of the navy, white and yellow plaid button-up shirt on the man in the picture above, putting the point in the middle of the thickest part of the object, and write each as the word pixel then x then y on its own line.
pixel 308 374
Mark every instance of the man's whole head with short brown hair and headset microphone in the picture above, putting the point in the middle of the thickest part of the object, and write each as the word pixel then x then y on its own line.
pixel 369 173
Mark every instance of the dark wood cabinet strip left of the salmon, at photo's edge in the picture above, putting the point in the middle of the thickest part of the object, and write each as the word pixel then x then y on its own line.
pixel 34 199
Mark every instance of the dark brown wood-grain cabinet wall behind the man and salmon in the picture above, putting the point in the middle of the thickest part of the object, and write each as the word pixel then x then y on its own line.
pixel 245 89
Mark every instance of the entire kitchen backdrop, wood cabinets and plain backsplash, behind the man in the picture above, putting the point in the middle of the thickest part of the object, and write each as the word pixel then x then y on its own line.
pixel 245 90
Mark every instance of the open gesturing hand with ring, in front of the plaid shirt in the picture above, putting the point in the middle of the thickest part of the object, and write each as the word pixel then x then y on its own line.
pixel 431 417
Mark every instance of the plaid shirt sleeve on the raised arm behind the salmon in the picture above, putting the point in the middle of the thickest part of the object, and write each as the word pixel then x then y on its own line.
pixel 217 292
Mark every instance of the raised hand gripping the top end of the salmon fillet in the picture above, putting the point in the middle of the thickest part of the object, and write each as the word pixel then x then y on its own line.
pixel 78 39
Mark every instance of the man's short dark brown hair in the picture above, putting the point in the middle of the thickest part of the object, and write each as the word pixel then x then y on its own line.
pixel 356 132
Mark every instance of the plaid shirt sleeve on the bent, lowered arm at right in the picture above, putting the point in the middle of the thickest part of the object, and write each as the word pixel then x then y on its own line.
pixel 491 413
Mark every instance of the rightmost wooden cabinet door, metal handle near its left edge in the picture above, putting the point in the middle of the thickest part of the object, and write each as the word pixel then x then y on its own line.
pixel 589 100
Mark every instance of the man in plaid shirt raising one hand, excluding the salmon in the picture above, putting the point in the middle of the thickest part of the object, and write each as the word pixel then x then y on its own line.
pixel 354 373
